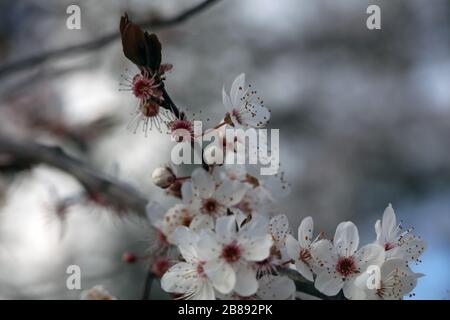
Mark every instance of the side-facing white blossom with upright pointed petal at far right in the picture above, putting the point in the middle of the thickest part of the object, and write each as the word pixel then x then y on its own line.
pixel 396 242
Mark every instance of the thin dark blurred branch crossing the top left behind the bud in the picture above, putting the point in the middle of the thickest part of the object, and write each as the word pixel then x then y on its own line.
pixel 100 42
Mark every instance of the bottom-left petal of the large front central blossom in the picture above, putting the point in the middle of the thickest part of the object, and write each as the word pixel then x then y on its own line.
pixel 222 275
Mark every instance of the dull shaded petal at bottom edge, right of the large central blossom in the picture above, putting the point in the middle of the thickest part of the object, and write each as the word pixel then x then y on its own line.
pixel 276 288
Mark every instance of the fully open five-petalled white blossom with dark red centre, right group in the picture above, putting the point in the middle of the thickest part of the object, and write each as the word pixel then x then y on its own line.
pixel 341 261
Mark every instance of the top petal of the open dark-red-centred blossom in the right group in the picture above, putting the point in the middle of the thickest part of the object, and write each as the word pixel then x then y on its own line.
pixel 346 239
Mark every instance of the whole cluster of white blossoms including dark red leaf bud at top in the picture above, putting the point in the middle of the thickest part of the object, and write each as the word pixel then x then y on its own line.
pixel 231 242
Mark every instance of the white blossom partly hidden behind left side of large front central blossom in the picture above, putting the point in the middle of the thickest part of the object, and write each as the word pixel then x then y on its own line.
pixel 188 278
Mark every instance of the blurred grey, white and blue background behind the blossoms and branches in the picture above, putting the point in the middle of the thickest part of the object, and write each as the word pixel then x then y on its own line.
pixel 364 119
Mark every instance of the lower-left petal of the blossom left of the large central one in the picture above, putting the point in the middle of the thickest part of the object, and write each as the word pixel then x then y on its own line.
pixel 180 278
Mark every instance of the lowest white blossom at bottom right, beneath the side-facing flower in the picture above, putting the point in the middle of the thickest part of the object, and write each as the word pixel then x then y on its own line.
pixel 396 281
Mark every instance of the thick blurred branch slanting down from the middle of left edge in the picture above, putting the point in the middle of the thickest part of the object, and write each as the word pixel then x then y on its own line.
pixel 111 191
